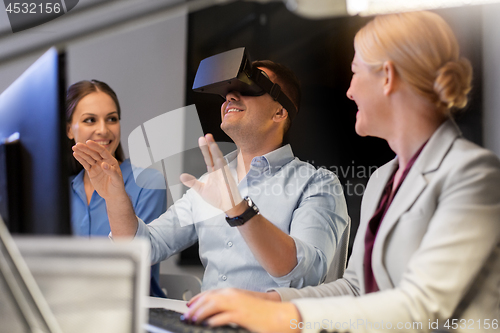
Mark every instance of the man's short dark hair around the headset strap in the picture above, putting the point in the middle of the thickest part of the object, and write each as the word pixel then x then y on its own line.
pixel 287 80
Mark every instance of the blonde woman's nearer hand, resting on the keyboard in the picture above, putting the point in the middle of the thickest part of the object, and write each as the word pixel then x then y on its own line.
pixel 226 306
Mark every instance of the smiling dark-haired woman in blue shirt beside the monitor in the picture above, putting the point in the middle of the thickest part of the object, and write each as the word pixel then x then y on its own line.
pixel 93 113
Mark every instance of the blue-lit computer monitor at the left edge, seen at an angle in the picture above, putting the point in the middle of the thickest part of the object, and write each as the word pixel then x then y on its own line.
pixel 33 166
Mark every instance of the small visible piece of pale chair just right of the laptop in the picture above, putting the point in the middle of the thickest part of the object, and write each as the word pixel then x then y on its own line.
pixel 181 287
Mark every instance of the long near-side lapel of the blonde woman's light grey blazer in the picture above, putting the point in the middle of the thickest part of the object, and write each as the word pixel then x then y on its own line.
pixel 429 160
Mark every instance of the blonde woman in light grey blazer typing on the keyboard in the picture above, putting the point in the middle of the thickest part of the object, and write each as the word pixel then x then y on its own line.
pixel 426 252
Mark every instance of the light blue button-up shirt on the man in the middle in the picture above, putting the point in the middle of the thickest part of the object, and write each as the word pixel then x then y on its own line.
pixel 306 203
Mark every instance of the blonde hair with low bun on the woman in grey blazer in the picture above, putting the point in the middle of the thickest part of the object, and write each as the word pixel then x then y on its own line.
pixel 425 53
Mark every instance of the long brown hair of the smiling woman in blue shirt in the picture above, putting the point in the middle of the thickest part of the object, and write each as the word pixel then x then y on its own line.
pixel 74 95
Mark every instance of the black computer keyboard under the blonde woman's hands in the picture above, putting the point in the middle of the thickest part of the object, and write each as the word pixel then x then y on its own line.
pixel 169 320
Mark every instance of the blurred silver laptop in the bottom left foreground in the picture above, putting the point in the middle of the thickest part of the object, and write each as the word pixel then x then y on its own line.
pixel 89 285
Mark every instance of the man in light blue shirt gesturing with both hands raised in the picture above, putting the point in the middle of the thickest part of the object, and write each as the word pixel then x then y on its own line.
pixel 303 214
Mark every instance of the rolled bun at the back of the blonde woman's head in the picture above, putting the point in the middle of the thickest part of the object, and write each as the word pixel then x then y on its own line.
pixel 453 83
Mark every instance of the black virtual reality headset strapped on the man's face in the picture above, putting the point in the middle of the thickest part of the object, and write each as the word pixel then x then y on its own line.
pixel 233 71
